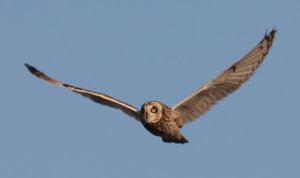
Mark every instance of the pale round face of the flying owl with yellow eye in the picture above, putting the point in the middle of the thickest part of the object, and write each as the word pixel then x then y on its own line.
pixel 151 112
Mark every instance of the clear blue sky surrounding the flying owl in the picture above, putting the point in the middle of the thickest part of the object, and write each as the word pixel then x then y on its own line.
pixel 137 51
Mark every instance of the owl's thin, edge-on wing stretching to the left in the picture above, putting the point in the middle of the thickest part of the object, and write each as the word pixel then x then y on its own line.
pixel 97 97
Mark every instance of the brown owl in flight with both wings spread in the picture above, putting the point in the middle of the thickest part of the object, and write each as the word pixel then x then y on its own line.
pixel 164 121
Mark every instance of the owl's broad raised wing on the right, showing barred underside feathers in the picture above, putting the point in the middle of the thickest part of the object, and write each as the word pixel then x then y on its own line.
pixel 224 84
